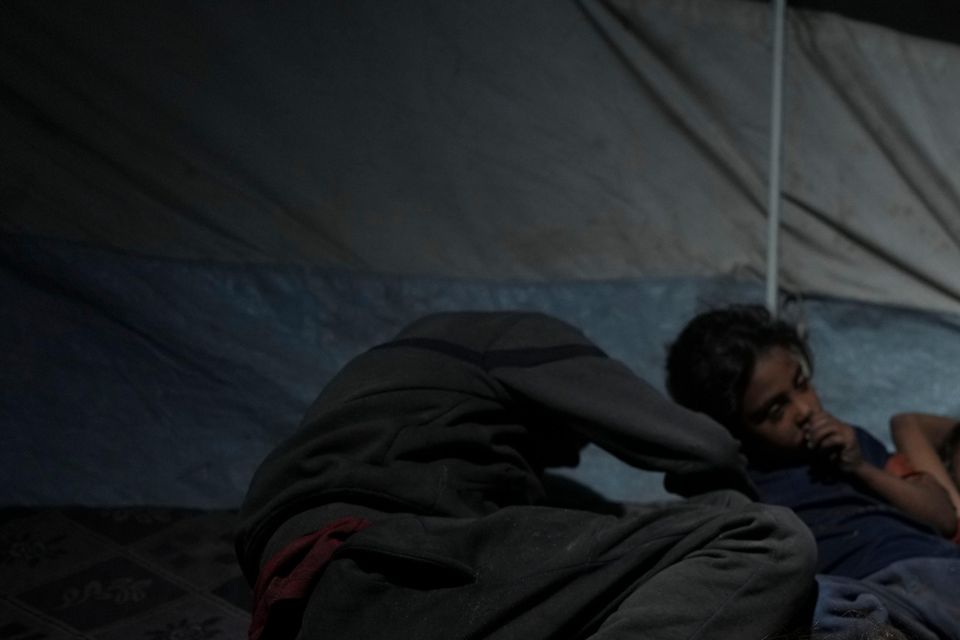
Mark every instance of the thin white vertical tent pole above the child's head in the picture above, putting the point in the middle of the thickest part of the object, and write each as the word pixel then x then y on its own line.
pixel 776 136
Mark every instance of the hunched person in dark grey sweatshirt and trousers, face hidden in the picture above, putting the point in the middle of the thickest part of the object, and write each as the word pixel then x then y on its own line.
pixel 411 502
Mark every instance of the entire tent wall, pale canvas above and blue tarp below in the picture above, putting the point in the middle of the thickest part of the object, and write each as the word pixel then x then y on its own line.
pixel 206 209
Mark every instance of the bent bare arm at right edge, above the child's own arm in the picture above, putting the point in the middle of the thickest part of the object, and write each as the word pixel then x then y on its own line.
pixel 918 436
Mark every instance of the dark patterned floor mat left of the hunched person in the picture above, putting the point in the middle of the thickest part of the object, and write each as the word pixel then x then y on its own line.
pixel 120 574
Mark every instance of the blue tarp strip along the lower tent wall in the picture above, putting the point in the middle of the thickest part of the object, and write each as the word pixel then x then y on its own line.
pixel 134 380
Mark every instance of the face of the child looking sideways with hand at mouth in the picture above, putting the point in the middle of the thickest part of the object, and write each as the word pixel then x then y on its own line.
pixel 779 403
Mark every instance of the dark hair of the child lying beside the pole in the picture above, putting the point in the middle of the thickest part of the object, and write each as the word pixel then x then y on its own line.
pixel 711 362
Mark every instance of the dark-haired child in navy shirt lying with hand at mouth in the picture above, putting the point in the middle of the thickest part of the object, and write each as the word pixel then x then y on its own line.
pixel 752 374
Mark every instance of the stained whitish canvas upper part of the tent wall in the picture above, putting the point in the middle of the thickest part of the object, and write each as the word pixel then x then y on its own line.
pixel 579 140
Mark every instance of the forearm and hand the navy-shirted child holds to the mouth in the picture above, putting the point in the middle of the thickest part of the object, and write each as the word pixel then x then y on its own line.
pixel 921 498
